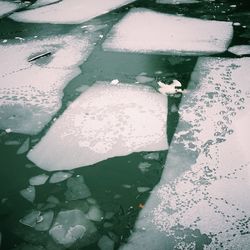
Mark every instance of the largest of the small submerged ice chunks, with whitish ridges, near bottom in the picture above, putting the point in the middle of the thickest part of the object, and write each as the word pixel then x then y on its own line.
pixel 71 226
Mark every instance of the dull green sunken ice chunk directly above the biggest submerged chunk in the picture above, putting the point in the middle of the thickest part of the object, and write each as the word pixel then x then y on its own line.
pixel 77 189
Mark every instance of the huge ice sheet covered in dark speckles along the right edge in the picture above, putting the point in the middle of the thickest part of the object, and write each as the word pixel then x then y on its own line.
pixel 202 200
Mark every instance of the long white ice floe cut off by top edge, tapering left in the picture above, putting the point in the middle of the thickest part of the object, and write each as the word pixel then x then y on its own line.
pixel 70 12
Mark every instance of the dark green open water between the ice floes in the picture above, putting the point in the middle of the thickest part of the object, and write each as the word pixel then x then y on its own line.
pixel 113 183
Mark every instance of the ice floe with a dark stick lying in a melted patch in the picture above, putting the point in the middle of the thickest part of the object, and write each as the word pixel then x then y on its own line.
pixel 33 75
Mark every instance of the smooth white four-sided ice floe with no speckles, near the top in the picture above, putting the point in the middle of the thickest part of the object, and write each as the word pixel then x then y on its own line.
pixel 146 31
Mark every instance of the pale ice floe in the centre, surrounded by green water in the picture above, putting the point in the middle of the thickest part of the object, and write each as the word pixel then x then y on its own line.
pixel 105 121
